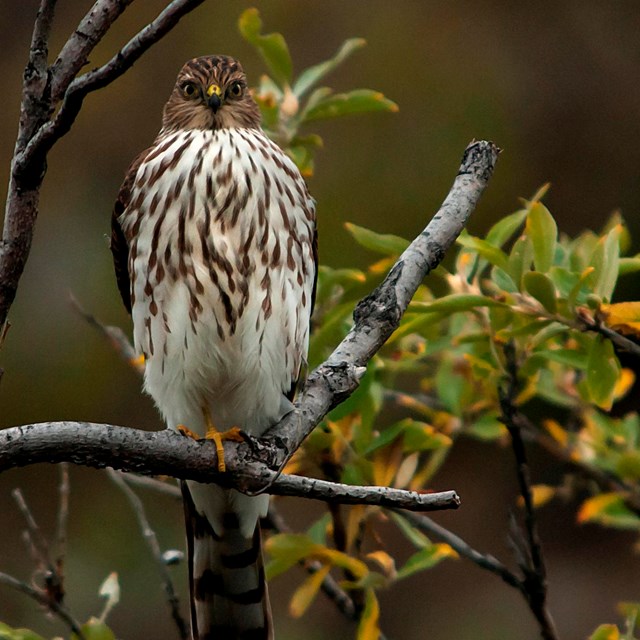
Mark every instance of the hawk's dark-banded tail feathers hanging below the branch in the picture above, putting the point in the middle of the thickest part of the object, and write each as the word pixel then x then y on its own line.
pixel 229 598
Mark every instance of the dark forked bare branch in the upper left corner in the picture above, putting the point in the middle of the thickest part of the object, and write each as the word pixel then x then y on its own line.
pixel 43 89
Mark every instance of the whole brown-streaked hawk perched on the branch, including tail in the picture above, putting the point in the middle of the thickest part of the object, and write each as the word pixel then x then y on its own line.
pixel 214 247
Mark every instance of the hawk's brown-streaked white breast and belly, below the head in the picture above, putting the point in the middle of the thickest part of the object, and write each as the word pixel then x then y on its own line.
pixel 220 229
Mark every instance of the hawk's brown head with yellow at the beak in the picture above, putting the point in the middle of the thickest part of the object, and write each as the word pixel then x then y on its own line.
pixel 210 93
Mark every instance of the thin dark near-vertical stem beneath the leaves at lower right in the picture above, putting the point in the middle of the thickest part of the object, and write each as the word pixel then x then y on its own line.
pixel 533 566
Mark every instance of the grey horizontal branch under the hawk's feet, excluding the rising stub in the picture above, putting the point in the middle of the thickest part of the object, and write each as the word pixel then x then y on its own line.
pixel 167 453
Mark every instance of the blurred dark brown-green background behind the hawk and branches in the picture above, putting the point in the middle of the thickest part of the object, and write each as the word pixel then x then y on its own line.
pixel 555 84
